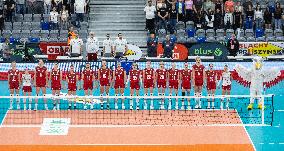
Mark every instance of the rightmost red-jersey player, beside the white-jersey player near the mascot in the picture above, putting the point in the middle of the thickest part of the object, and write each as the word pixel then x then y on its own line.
pixel 211 80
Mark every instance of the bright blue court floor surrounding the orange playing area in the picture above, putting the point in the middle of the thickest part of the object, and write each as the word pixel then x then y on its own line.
pixel 263 138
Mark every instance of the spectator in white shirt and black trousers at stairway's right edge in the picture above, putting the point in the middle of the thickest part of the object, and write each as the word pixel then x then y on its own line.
pixel 150 16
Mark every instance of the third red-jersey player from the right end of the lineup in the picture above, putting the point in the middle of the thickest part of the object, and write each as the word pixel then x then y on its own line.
pixel 185 76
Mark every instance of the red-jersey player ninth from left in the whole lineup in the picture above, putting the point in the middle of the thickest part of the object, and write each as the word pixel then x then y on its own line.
pixel 135 79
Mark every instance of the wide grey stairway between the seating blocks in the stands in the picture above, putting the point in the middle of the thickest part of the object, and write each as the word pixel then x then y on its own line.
pixel 119 16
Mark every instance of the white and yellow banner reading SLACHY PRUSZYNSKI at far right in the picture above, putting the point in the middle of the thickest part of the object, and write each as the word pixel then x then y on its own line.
pixel 262 49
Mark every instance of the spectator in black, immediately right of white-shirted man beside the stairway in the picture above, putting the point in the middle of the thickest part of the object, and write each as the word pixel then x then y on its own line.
pixel 162 15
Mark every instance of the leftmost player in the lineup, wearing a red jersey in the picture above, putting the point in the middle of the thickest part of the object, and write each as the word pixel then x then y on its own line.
pixel 14 84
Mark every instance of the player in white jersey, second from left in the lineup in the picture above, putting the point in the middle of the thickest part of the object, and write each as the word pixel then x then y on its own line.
pixel 27 87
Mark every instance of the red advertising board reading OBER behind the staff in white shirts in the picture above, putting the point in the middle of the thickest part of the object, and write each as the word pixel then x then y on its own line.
pixel 54 49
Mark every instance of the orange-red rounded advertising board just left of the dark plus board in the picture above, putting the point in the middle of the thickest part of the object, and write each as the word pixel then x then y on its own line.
pixel 180 51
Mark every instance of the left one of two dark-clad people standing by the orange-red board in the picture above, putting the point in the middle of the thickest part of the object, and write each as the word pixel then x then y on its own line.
pixel 152 44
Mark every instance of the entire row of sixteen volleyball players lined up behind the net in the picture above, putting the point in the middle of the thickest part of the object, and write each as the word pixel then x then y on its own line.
pixel 148 78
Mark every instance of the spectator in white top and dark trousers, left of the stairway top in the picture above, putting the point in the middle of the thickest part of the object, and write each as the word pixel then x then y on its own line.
pixel 80 9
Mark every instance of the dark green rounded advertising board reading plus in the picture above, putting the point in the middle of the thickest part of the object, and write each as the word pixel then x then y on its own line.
pixel 219 51
